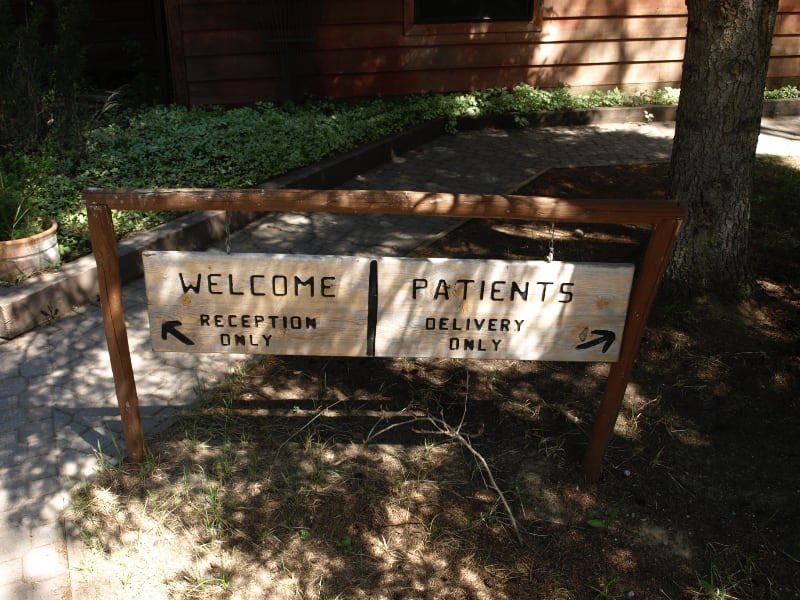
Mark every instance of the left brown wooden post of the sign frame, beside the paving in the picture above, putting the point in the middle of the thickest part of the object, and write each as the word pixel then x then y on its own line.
pixel 104 245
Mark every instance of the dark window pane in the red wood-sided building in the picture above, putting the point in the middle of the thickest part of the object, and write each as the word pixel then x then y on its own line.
pixel 468 11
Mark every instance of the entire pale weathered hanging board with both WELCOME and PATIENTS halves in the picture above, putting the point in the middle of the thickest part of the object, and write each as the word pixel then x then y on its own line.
pixel 388 307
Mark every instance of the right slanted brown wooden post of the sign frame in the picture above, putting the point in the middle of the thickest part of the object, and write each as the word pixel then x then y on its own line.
pixel 659 249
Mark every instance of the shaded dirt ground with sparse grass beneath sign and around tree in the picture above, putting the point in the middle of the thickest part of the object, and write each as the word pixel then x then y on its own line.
pixel 268 491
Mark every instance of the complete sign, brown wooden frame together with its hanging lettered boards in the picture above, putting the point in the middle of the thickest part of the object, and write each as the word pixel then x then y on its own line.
pixel 393 307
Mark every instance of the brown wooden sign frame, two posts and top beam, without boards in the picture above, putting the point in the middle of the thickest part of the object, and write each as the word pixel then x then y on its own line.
pixel 664 216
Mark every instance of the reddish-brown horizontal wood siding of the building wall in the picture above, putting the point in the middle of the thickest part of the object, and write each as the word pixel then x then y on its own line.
pixel 237 52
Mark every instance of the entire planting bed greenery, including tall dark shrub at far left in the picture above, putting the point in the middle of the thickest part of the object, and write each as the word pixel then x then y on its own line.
pixel 43 114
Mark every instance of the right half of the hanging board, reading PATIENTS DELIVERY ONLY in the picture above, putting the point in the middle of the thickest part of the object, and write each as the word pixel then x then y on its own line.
pixel 501 309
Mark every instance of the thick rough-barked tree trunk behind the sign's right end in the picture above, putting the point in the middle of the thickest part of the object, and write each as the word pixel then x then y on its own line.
pixel 728 45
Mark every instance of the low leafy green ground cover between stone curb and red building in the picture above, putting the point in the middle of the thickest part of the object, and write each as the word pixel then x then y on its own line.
pixel 173 146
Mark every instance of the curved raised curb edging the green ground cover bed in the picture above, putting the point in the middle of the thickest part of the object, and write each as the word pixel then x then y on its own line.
pixel 49 295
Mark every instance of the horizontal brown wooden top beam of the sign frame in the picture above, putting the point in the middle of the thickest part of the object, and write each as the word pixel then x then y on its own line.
pixel 490 206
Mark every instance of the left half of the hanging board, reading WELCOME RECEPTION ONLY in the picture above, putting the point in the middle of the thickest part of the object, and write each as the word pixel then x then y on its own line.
pixel 257 304
